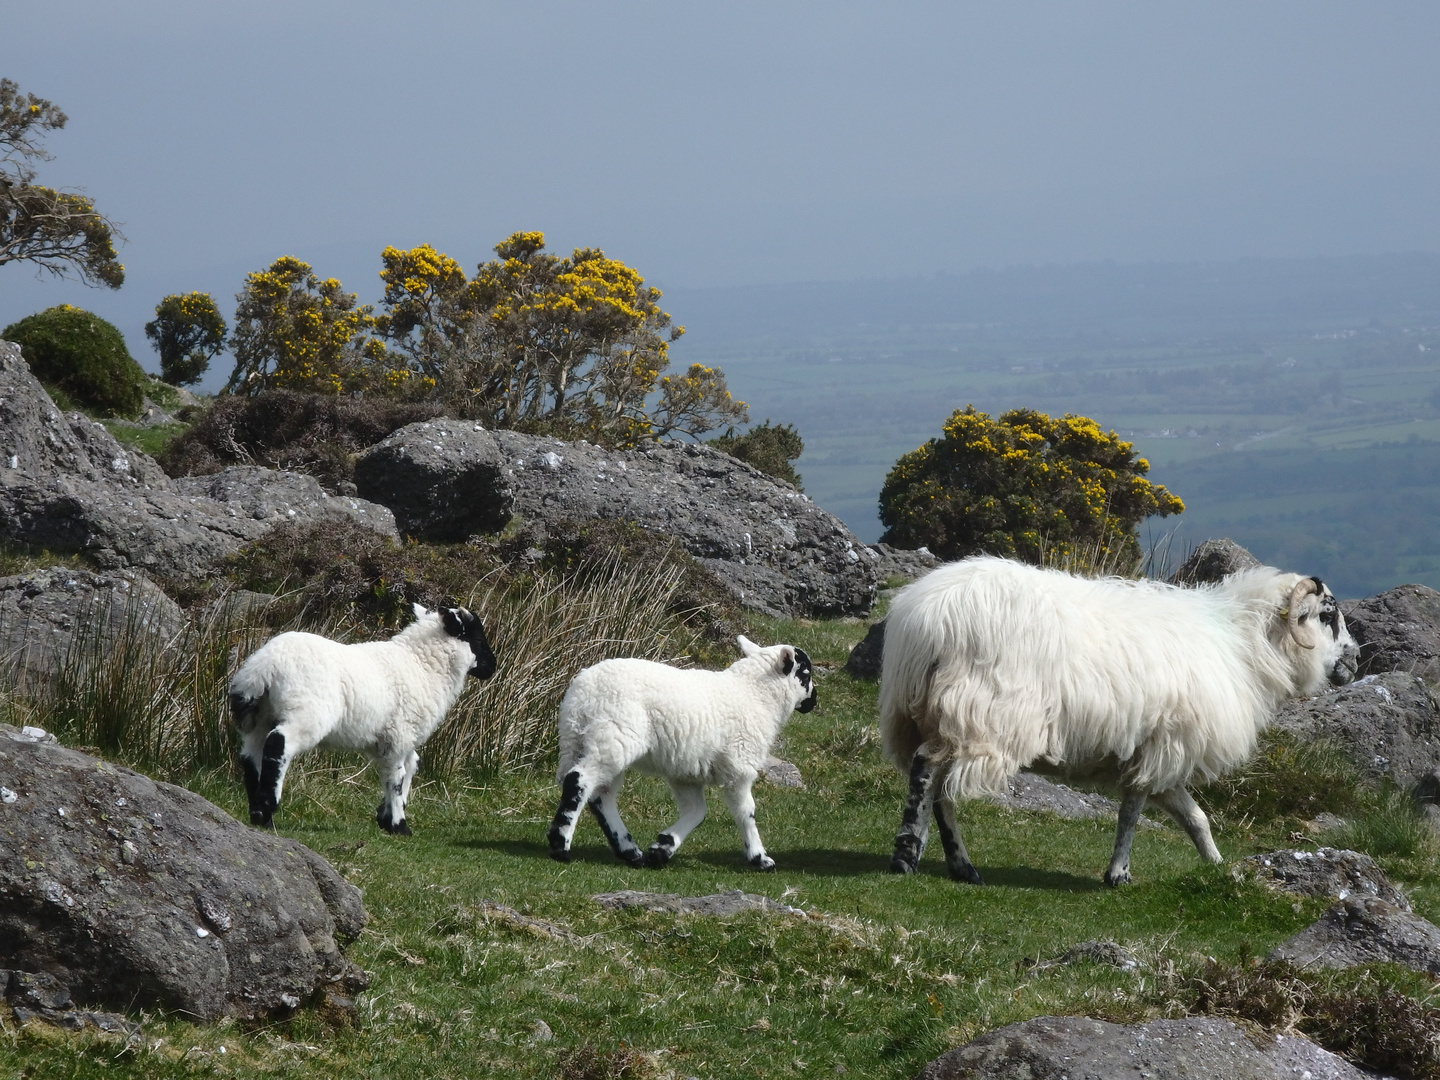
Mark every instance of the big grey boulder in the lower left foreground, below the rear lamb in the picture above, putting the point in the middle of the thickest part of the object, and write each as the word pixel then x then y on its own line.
pixel 140 895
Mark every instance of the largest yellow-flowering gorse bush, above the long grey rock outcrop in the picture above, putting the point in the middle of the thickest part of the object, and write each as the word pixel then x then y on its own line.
pixel 577 345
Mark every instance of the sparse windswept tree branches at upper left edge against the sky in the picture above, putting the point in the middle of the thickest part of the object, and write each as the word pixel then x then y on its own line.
pixel 60 231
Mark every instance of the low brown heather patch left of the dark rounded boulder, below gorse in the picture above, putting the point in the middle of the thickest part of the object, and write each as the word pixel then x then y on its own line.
pixel 318 434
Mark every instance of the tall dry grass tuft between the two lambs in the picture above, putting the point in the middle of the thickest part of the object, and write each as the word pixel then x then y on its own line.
pixel 544 631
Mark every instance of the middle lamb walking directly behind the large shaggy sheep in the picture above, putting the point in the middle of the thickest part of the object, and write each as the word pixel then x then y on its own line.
pixel 692 728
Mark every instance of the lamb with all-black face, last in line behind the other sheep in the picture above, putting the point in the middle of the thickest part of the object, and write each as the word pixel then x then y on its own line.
pixel 381 698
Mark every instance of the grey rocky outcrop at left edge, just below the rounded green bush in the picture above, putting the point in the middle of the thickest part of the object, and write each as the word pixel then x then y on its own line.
pixel 66 485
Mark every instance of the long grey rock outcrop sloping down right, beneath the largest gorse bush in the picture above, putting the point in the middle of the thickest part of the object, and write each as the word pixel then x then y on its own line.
pixel 768 544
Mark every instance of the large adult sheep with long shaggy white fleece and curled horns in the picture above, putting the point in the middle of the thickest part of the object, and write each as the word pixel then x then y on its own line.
pixel 991 666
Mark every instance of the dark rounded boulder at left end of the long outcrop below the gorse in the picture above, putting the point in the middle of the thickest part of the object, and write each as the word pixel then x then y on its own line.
pixel 446 480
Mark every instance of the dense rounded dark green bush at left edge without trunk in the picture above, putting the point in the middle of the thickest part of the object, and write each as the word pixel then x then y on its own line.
pixel 84 356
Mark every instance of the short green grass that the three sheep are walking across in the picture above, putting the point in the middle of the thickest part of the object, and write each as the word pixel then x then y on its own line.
pixel 476 937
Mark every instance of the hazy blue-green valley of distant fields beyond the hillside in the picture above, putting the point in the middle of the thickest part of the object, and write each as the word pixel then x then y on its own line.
pixel 1292 405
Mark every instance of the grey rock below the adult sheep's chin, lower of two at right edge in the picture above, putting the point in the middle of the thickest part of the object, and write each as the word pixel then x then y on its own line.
pixel 1390 725
